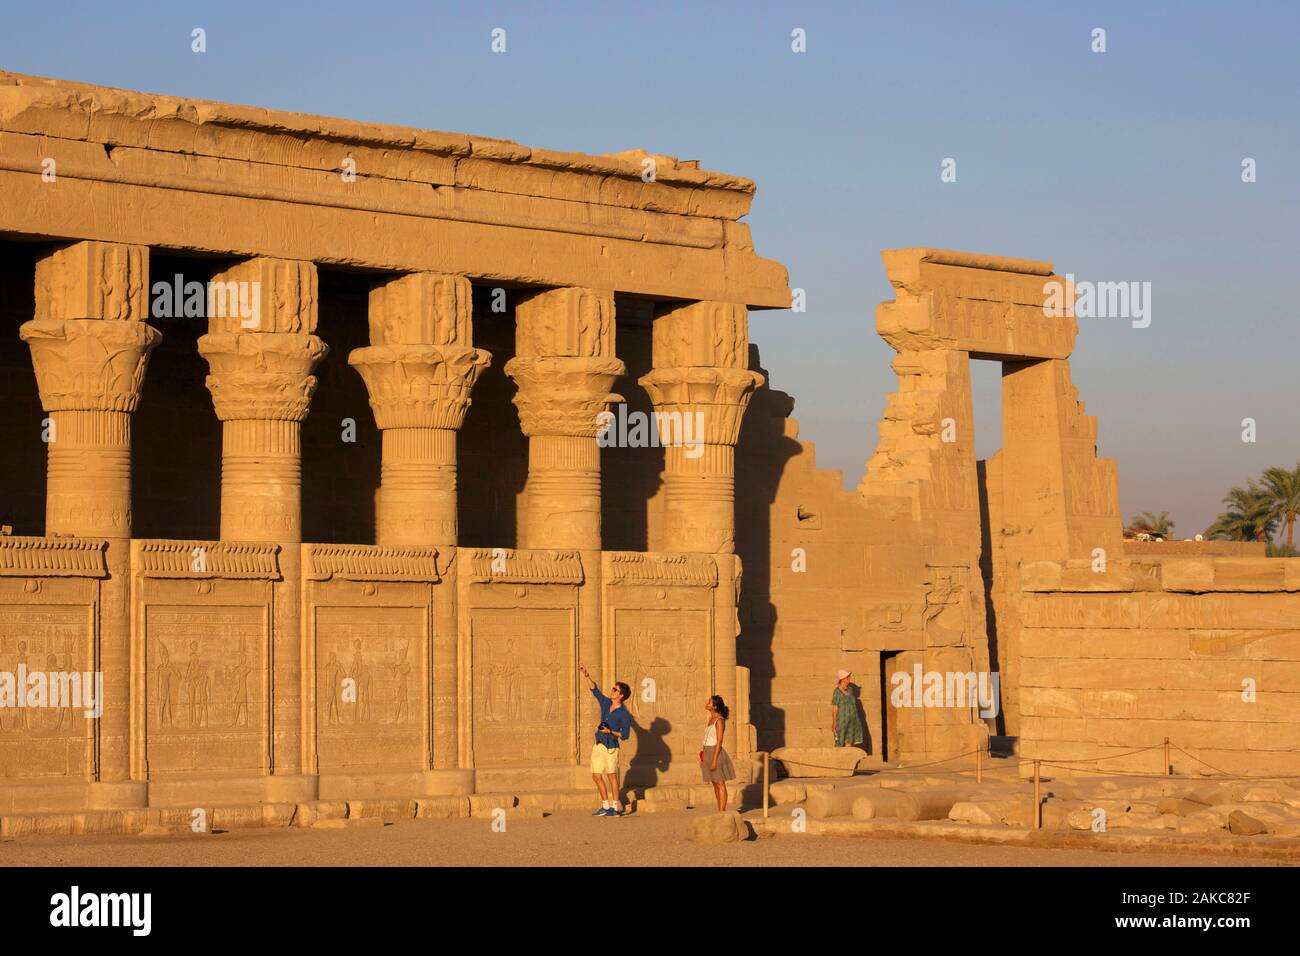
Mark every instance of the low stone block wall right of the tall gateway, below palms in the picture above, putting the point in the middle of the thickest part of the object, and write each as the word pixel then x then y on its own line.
pixel 1204 652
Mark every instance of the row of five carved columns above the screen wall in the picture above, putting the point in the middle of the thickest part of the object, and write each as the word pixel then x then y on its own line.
pixel 90 347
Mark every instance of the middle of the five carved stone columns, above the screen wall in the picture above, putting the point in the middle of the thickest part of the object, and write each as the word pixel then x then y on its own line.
pixel 419 369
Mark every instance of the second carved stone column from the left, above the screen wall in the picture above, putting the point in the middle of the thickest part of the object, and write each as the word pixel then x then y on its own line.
pixel 262 387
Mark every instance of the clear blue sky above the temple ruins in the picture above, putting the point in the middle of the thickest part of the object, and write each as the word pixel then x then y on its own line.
pixel 1117 166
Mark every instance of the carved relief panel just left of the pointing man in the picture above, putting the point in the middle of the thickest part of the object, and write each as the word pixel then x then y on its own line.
pixel 523 673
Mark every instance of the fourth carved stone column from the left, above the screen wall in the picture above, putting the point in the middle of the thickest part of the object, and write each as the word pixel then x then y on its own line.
pixel 565 369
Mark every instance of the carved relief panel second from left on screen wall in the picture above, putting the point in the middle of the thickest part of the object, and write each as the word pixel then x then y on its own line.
pixel 205 689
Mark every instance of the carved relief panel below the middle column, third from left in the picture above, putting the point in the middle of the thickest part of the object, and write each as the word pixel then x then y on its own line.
pixel 370 673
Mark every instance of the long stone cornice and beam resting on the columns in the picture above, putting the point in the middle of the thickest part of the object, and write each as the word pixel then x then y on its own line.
pixel 237 181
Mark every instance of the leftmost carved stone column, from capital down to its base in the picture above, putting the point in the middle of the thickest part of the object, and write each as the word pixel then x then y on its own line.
pixel 90 347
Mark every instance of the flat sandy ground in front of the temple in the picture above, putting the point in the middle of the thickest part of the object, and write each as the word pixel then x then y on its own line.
pixel 562 840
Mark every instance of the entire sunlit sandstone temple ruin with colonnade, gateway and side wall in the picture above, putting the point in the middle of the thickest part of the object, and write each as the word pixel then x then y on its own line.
pixel 374 452
